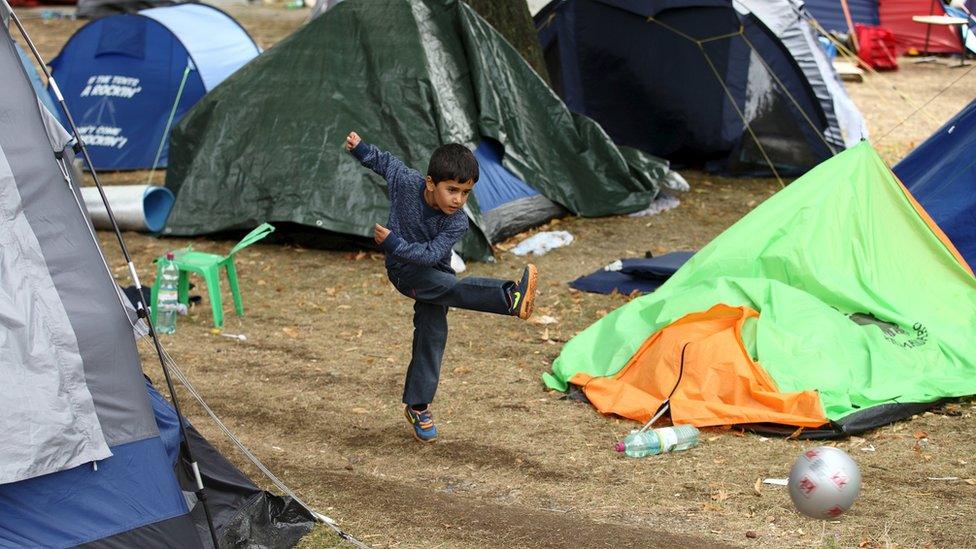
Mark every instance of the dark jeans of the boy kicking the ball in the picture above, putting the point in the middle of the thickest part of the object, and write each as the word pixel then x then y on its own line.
pixel 434 291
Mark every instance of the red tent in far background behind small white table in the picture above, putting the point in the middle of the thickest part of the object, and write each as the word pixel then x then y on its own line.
pixel 896 15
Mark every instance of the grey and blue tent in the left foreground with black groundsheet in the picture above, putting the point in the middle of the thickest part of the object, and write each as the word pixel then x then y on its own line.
pixel 90 456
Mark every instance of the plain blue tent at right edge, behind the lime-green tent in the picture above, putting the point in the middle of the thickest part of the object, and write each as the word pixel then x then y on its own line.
pixel 941 174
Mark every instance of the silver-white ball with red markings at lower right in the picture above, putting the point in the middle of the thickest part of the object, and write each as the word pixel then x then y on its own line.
pixel 824 482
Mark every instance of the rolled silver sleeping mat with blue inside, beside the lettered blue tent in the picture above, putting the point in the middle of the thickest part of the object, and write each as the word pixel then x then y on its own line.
pixel 136 207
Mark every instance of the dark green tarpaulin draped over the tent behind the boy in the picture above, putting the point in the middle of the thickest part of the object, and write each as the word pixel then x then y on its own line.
pixel 408 75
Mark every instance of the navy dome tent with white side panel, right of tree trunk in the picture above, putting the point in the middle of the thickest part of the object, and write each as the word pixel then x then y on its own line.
pixel 678 78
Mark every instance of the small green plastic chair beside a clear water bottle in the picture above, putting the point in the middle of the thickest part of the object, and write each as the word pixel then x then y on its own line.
pixel 208 266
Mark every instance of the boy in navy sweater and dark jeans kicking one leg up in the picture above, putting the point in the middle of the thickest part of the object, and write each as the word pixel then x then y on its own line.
pixel 426 220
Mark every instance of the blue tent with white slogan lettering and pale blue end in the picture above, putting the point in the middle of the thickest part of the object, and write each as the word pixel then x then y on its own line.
pixel 122 76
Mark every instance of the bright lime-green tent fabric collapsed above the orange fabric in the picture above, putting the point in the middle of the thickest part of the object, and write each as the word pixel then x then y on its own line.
pixel 858 297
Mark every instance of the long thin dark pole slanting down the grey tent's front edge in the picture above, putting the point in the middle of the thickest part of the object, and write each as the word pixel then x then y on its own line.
pixel 141 307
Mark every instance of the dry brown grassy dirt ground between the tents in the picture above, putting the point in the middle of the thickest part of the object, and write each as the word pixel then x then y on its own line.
pixel 314 390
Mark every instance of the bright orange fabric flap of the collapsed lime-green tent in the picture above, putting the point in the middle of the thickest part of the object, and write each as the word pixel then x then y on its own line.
pixel 720 383
